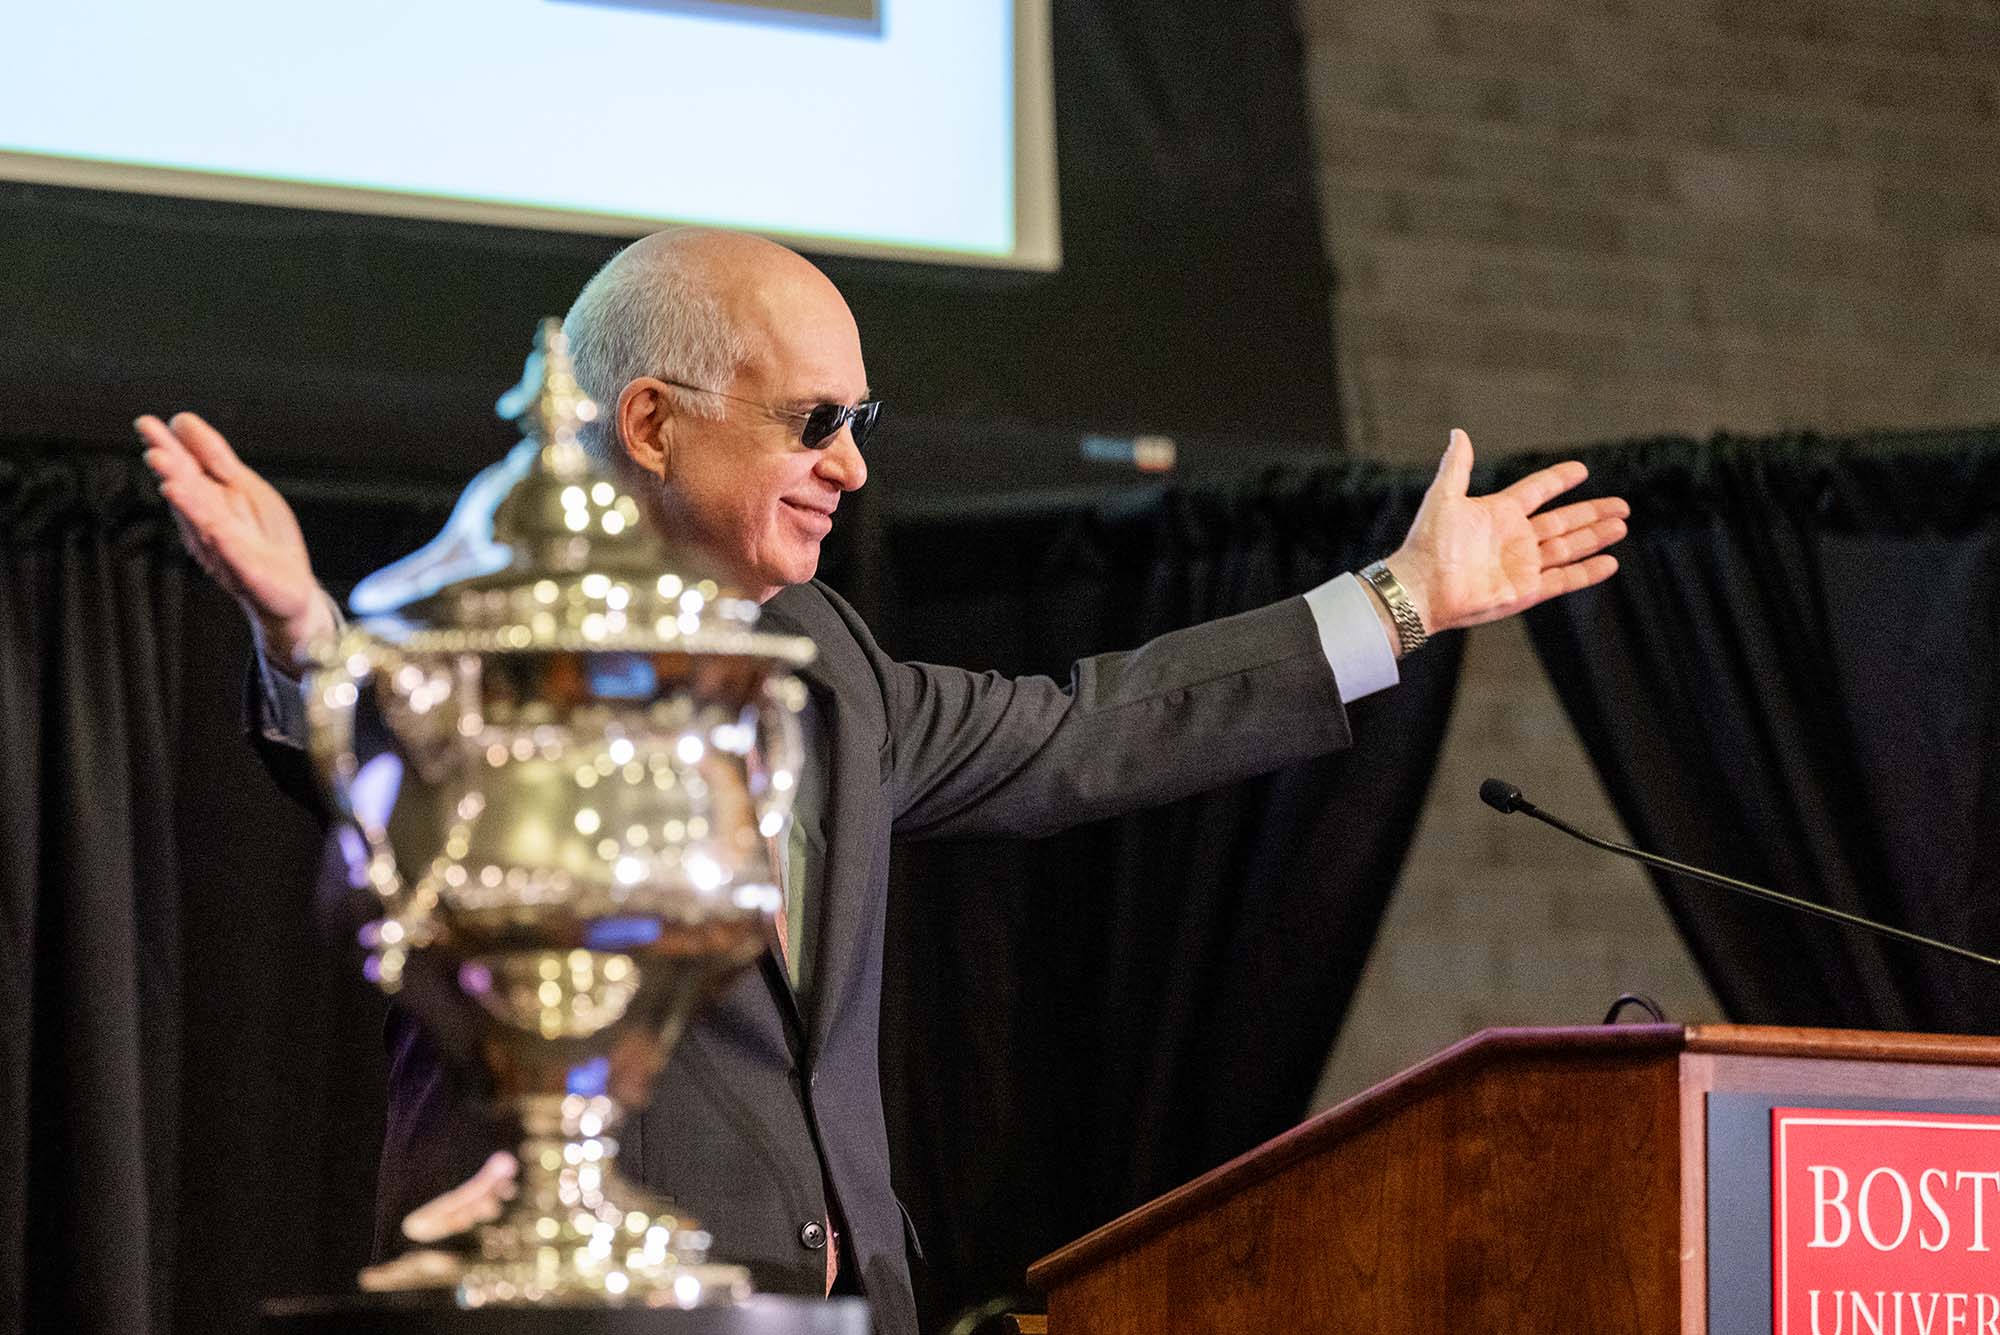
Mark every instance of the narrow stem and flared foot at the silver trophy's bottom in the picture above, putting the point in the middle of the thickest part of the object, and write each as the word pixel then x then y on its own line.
pixel 577 1232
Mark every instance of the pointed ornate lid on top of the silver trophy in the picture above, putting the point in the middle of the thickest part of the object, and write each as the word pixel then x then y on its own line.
pixel 545 551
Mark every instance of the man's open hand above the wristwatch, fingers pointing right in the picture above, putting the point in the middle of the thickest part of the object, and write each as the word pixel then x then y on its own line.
pixel 1479 559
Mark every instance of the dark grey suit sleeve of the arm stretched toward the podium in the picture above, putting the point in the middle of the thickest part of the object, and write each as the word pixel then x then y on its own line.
pixel 983 754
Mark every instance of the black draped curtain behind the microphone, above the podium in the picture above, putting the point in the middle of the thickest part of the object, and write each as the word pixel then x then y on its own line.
pixel 1793 682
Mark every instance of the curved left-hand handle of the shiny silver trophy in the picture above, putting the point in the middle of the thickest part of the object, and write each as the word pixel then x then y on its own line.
pixel 333 692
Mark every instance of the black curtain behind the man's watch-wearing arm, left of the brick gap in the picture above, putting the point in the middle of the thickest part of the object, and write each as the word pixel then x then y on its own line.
pixel 1079 1024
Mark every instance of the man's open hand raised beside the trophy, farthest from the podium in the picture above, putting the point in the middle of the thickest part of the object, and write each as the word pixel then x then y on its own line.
pixel 241 533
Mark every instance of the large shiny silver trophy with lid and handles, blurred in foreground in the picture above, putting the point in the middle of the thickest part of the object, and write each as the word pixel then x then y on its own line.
pixel 597 748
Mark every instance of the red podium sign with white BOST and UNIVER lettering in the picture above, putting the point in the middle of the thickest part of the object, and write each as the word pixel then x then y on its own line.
pixel 1885 1224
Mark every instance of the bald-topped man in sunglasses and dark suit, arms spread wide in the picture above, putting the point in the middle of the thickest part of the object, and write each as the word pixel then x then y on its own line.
pixel 733 397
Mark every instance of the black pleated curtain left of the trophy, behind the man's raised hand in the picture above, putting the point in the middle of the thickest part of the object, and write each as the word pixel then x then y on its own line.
pixel 193 1068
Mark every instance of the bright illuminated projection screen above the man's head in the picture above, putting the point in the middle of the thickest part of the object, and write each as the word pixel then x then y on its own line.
pixel 913 129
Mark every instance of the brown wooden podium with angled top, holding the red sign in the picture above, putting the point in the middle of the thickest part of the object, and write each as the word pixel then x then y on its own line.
pixel 1525 1180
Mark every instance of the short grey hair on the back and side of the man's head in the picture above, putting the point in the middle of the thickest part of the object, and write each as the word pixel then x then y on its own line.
pixel 651 311
